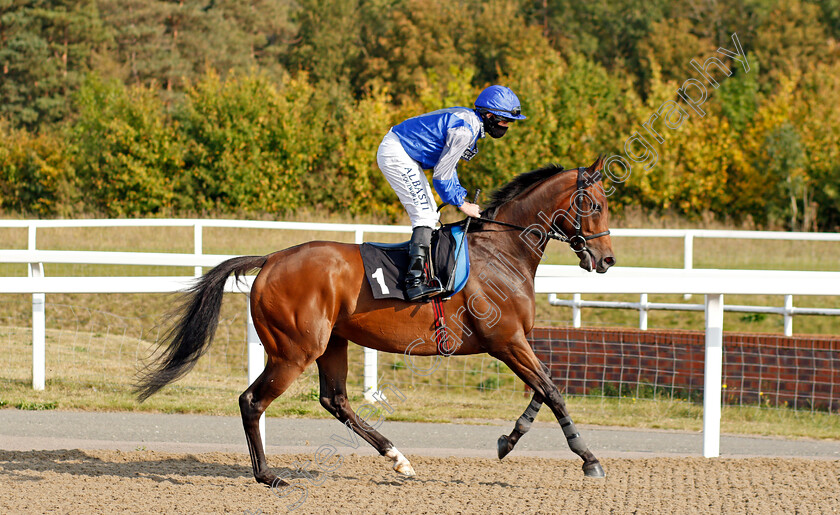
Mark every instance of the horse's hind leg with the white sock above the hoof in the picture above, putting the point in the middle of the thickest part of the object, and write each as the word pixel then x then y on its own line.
pixel 332 369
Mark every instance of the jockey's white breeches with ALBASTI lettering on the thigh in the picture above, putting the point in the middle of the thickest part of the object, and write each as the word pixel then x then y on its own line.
pixel 406 177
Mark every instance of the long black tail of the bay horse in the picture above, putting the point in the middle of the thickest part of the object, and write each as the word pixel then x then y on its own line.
pixel 190 335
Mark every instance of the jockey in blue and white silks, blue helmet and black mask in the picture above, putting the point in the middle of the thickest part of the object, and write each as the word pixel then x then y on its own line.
pixel 437 140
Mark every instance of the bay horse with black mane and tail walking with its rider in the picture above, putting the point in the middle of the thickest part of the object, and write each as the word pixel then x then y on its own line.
pixel 308 301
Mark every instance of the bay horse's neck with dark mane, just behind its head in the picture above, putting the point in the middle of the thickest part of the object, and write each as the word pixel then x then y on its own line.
pixel 535 207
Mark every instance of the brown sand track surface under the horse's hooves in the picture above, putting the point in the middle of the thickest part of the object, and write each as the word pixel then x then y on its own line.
pixel 100 481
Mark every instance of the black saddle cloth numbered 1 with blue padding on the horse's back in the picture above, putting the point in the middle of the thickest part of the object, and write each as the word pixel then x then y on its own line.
pixel 386 263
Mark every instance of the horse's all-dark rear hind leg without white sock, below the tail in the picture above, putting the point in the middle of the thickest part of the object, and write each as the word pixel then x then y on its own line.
pixel 273 381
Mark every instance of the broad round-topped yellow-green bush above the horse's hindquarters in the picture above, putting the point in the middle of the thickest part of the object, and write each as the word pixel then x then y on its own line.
pixel 249 143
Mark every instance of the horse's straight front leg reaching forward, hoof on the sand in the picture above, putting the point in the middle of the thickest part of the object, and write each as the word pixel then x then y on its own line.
pixel 521 359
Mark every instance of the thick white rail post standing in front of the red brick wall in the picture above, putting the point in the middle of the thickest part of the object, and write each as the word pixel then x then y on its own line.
pixel 713 376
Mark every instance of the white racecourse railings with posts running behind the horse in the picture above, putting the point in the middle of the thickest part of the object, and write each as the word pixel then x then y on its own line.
pixel 552 279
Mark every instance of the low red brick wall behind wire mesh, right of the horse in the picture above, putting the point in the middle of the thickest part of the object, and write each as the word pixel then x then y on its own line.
pixel 802 371
